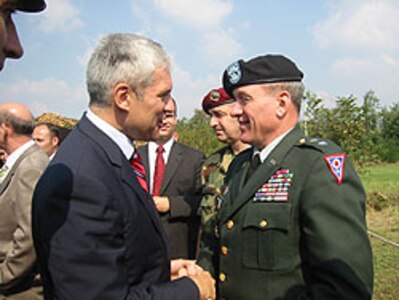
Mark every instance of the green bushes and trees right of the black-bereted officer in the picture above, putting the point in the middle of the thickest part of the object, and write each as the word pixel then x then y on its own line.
pixel 365 132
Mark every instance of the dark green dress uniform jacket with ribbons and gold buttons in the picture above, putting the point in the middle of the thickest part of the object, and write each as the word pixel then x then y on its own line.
pixel 296 229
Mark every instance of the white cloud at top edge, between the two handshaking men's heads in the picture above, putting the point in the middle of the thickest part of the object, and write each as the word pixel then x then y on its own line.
pixel 199 14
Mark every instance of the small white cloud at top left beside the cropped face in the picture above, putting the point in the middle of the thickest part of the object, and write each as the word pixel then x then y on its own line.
pixel 60 15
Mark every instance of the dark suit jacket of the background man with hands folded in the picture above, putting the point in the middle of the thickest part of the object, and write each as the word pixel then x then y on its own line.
pixel 182 184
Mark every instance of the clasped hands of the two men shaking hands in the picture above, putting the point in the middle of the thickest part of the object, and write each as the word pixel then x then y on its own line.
pixel 202 278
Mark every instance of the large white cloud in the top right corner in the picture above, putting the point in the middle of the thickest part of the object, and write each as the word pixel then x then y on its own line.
pixel 357 24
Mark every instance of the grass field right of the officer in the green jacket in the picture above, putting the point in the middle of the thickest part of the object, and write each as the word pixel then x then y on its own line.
pixel 382 185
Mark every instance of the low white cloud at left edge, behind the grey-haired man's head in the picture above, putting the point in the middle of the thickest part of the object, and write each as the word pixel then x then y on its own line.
pixel 47 95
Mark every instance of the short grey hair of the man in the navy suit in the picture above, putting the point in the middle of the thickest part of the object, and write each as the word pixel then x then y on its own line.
pixel 125 58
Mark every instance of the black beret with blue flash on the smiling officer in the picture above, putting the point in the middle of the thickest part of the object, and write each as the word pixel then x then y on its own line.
pixel 261 69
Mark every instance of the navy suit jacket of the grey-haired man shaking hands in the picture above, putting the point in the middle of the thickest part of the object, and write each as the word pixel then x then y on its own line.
pixel 96 231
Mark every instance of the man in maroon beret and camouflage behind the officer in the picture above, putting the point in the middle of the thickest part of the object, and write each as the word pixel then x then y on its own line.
pixel 218 105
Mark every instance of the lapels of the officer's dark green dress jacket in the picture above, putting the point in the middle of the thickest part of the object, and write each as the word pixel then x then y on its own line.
pixel 239 195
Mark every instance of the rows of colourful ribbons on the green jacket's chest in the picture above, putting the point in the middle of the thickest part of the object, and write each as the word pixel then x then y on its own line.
pixel 276 189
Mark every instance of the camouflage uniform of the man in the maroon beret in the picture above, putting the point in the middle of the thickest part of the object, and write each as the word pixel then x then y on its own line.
pixel 213 174
